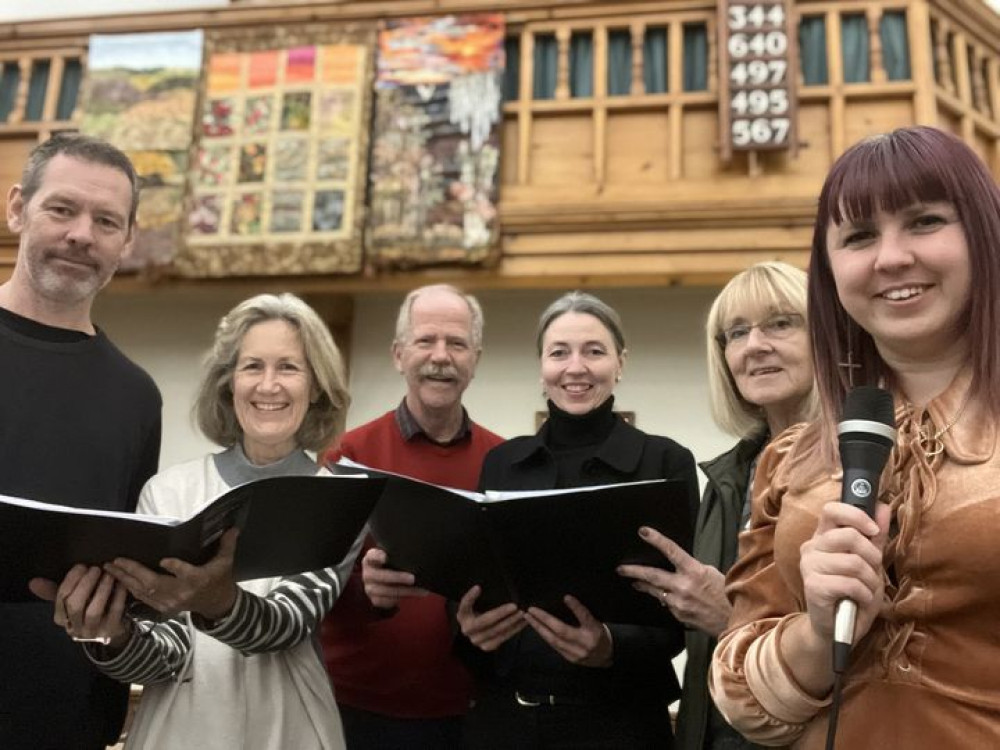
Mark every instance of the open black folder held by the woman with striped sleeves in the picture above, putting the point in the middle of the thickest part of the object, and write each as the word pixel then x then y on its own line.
pixel 287 525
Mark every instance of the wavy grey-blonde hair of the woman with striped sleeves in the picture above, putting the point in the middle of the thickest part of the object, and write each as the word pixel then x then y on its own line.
pixel 213 408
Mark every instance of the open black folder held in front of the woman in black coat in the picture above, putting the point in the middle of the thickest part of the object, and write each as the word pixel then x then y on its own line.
pixel 532 548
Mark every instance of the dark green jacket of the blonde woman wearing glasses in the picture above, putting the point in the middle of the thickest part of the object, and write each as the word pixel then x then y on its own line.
pixel 715 544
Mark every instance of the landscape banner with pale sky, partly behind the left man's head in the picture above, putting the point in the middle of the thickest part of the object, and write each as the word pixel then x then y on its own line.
pixel 140 95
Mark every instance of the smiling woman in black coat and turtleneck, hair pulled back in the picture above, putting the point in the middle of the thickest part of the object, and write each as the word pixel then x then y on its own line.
pixel 546 683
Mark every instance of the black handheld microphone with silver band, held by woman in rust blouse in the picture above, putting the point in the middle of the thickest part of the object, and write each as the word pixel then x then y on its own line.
pixel 866 435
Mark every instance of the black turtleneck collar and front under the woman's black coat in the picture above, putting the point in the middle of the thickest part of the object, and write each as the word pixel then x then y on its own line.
pixel 575 438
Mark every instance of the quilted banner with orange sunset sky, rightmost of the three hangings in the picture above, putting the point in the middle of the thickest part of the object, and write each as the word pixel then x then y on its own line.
pixel 435 149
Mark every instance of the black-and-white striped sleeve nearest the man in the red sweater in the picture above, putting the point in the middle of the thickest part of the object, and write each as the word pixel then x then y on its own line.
pixel 287 615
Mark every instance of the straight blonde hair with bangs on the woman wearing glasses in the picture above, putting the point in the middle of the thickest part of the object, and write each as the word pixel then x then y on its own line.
pixel 769 287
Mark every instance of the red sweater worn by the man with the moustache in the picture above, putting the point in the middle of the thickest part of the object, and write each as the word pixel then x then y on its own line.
pixel 403 665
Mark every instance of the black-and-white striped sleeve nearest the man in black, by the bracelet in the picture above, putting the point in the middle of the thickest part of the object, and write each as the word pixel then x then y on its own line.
pixel 155 652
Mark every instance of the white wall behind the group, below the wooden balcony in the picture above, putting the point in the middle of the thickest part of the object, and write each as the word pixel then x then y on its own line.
pixel 664 379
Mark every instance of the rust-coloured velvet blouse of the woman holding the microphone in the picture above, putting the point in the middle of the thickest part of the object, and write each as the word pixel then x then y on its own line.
pixel 927 675
